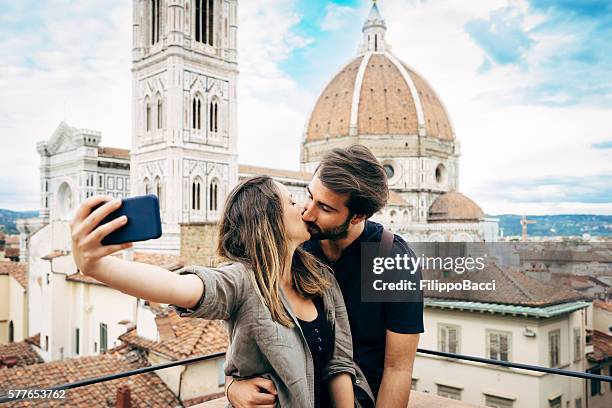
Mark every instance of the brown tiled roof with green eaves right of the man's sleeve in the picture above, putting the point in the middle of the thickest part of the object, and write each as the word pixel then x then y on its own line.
pixel 511 287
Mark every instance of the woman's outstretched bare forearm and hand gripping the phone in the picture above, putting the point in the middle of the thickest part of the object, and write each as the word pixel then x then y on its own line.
pixel 144 281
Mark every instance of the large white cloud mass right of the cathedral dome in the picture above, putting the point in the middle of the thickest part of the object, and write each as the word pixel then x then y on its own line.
pixel 501 141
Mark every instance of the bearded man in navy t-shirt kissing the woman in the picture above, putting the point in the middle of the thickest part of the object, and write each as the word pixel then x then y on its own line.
pixel 348 187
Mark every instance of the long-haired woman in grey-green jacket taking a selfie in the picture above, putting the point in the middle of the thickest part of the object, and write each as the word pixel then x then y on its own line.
pixel 286 316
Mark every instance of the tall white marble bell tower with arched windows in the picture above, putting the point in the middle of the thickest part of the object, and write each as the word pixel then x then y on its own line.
pixel 184 127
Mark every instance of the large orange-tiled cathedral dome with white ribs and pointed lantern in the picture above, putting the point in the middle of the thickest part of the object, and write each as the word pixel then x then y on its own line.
pixel 377 94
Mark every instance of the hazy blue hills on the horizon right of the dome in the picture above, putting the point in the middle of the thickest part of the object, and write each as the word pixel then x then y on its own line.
pixel 562 225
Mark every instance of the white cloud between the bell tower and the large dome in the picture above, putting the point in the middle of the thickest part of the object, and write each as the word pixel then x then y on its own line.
pixel 271 105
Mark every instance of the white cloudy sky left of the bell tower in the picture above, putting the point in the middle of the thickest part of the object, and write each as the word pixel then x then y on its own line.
pixel 72 55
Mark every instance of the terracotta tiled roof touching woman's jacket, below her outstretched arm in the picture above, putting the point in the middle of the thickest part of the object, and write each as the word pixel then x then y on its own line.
pixel 182 337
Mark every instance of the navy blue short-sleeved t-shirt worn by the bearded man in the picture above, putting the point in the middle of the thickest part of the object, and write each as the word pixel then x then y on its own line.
pixel 370 320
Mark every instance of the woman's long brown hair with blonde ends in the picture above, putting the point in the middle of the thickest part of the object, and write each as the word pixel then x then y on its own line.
pixel 252 232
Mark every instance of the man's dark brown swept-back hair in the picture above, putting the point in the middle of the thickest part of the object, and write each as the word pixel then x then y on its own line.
pixel 355 171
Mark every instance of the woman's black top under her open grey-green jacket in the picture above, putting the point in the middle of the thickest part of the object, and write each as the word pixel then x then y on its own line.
pixel 320 339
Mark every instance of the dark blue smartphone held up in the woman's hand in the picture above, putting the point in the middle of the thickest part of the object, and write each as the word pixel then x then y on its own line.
pixel 144 221
